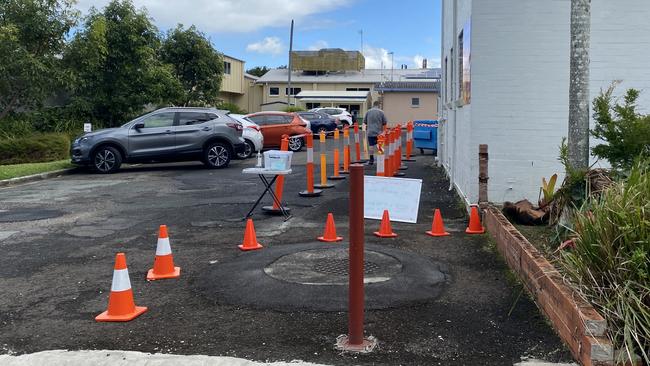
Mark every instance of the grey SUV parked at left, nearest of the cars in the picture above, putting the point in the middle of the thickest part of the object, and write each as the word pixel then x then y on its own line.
pixel 167 134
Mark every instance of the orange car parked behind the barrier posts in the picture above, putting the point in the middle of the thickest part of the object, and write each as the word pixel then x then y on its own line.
pixel 275 124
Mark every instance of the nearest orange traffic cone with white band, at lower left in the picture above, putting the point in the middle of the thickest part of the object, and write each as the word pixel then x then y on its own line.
pixel 121 307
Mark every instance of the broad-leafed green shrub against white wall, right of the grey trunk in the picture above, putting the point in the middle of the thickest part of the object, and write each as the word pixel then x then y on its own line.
pixel 625 131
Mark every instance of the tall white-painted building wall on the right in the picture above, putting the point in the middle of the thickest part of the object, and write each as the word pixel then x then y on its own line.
pixel 505 71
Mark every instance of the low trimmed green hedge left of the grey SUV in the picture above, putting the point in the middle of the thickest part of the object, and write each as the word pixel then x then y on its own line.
pixel 34 149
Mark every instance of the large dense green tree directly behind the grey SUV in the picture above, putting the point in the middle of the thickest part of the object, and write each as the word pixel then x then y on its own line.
pixel 115 65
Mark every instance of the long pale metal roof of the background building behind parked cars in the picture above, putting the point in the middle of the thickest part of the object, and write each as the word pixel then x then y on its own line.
pixel 366 76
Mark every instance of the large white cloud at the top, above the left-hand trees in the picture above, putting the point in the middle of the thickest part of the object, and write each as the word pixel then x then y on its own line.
pixel 228 15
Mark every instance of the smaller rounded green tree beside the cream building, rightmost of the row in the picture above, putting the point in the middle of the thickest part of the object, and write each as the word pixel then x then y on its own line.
pixel 197 65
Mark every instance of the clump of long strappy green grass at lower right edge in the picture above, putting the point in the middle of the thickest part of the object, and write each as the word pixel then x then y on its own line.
pixel 610 263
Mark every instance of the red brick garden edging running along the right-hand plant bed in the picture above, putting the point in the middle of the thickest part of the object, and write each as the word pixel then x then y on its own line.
pixel 575 320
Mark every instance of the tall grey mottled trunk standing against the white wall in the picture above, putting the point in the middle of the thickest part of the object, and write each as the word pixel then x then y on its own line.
pixel 578 141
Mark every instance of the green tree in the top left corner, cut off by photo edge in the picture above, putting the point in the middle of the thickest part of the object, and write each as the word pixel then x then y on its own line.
pixel 32 37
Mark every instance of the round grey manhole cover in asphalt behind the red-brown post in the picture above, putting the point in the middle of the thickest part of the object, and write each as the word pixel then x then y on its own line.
pixel 330 266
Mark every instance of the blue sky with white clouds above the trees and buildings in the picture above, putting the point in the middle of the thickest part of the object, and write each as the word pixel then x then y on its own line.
pixel 257 31
